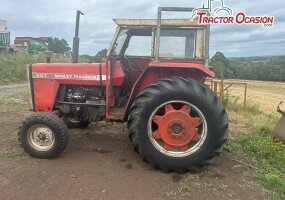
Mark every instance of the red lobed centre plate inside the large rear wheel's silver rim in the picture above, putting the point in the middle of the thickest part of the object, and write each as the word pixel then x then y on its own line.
pixel 176 128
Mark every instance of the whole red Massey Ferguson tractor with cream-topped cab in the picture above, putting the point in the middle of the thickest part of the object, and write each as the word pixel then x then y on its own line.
pixel 152 78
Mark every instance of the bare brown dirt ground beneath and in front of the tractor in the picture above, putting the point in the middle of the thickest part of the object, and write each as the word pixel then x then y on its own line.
pixel 99 163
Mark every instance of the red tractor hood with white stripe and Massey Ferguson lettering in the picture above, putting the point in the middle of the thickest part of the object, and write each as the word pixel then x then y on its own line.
pixel 45 79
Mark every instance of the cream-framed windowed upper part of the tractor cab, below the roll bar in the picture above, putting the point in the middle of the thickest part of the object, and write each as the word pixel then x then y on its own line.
pixel 179 40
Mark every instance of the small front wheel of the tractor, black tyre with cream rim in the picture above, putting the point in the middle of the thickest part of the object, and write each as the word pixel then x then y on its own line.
pixel 43 135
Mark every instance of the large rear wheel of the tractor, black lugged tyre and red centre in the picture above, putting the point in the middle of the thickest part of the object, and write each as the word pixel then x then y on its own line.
pixel 178 125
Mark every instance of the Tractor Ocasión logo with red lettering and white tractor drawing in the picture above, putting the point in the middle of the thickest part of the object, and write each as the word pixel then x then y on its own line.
pixel 224 15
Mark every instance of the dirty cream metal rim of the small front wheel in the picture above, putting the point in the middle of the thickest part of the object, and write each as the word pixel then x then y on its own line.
pixel 41 138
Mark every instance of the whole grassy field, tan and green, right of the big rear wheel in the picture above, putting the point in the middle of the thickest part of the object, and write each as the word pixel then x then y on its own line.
pixel 251 131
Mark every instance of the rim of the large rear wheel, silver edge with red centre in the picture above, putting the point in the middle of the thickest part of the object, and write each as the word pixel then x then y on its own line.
pixel 177 128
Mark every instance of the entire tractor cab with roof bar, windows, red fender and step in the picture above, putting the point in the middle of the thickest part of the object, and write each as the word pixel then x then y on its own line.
pixel 143 45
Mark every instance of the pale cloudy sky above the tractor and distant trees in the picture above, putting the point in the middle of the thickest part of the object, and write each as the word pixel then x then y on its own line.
pixel 56 18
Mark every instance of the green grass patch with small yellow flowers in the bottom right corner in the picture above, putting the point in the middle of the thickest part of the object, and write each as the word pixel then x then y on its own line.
pixel 269 154
